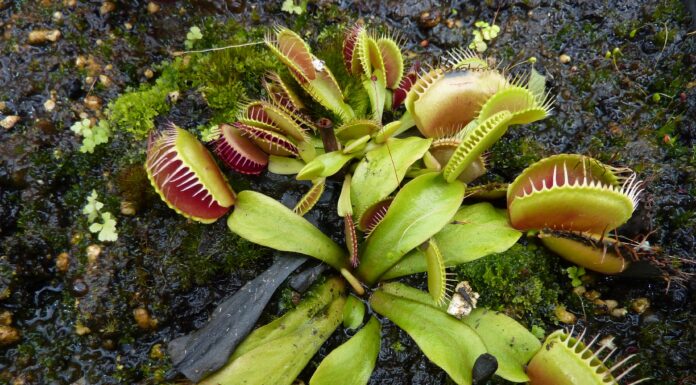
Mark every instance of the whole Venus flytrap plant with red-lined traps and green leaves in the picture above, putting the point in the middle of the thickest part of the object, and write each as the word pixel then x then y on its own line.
pixel 401 202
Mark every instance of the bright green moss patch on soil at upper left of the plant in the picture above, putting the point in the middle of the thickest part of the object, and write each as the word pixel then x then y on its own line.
pixel 224 78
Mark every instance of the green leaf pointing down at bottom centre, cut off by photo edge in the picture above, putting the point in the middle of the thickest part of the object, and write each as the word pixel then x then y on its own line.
pixel 351 363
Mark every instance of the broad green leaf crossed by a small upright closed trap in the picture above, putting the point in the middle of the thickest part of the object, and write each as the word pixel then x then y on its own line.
pixel 477 230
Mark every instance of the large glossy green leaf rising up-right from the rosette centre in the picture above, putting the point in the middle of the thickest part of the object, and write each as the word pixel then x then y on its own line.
pixel 419 210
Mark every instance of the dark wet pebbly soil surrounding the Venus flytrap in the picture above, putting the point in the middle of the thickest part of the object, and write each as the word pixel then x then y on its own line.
pixel 77 323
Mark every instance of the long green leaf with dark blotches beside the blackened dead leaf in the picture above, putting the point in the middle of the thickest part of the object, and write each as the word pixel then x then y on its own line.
pixel 284 346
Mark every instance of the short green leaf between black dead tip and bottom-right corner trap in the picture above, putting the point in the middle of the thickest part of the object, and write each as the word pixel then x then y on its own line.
pixel 511 343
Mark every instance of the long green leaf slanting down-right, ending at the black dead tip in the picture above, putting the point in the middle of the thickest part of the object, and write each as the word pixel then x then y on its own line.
pixel 445 340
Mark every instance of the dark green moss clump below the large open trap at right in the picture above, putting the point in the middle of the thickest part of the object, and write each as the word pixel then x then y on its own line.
pixel 522 281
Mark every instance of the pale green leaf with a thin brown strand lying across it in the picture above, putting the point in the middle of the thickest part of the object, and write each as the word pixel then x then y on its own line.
pixel 381 171
